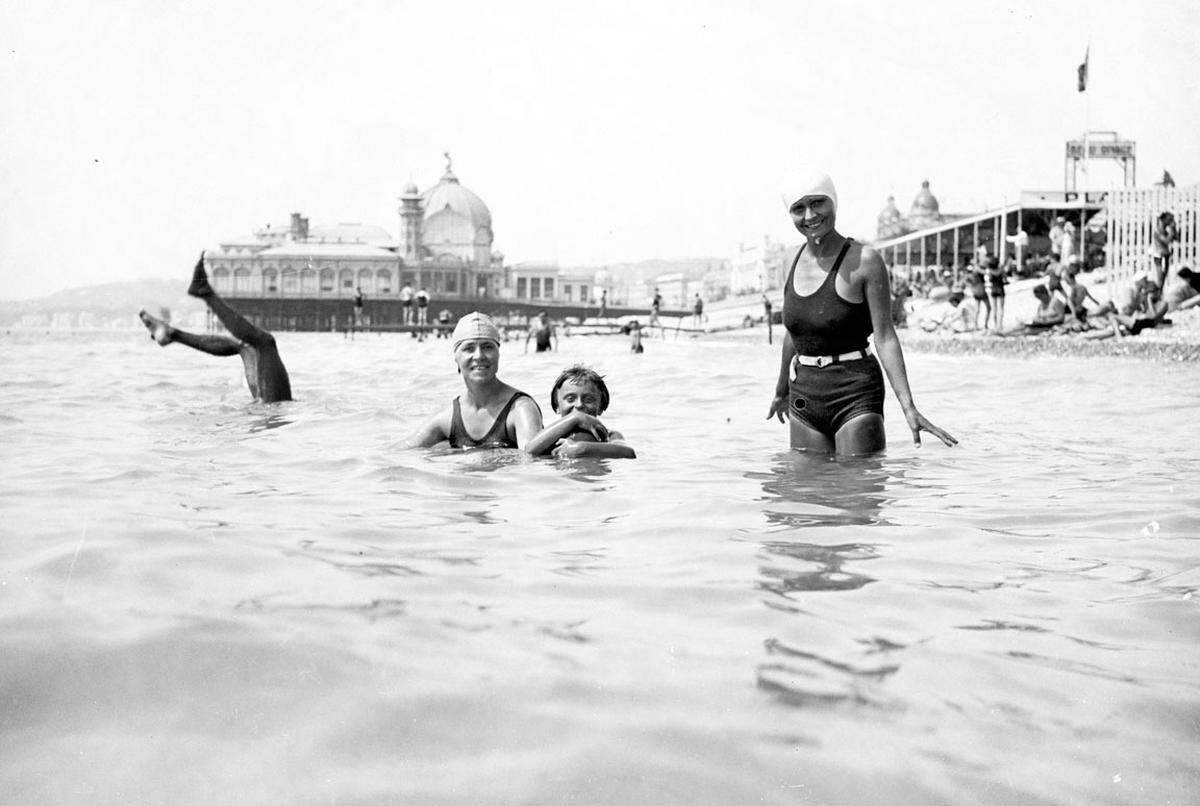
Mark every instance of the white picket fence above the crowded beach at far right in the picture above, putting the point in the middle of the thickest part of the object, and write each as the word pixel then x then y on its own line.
pixel 1132 214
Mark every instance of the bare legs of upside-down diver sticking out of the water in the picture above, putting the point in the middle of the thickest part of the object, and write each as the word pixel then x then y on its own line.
pixel 266 375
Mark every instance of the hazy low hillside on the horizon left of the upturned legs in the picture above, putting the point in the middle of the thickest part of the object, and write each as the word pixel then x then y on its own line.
pixel 109 302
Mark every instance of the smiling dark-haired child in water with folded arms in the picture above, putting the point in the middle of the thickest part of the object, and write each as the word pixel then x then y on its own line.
pixel 580 396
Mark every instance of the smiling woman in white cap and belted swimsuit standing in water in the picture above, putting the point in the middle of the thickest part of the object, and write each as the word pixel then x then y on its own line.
pixel 830 386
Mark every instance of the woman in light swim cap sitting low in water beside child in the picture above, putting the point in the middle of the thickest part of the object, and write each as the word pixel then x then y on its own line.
pixel 502 416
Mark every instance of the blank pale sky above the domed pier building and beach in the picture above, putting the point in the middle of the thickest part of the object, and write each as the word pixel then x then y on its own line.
pixel 136 134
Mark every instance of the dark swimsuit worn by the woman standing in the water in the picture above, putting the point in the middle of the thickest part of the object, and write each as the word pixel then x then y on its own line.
pixel 826 399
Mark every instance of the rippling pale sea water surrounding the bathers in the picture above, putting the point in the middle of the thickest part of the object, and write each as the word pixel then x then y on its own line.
pixel 208 600
